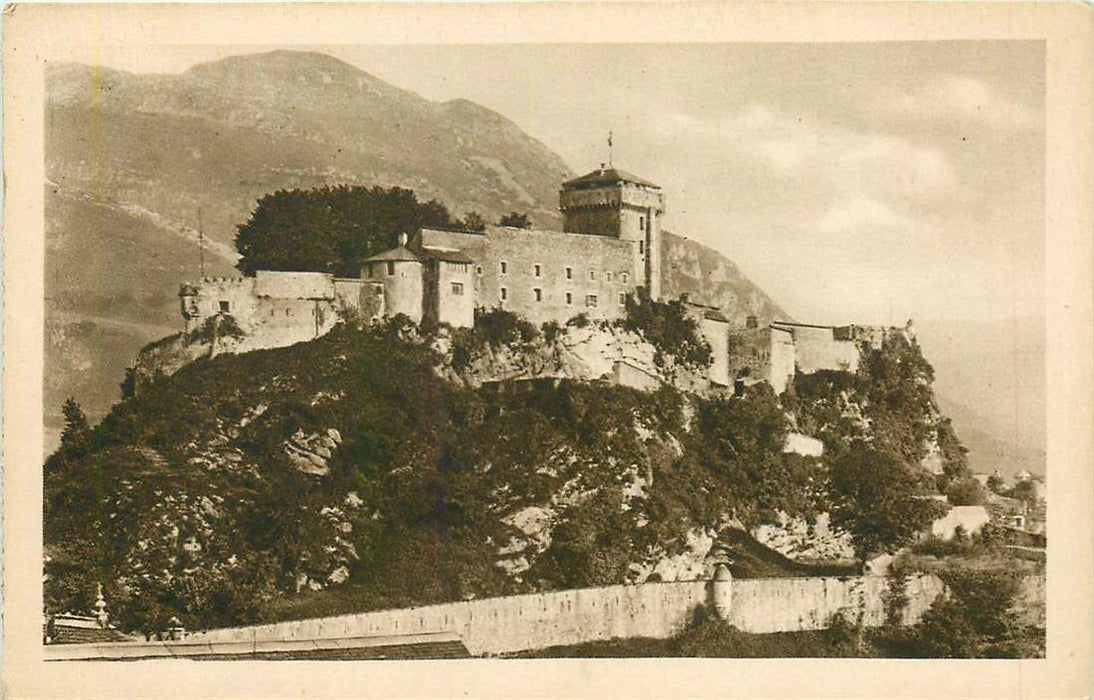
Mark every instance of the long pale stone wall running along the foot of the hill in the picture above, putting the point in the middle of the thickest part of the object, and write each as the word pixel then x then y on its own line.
pixel 513 624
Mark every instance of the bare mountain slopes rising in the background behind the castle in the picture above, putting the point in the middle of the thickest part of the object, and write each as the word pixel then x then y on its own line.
pixel 133 159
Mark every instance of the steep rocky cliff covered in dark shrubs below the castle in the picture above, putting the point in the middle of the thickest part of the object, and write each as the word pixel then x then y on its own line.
pixel 385 466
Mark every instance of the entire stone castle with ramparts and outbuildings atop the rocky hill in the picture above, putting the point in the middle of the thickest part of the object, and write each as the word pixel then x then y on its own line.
pixel 610 249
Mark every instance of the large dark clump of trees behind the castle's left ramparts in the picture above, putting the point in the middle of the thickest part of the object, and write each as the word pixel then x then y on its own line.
pixel 331 229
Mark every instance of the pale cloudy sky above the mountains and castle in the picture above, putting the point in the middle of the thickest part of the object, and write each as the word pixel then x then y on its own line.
pixel 866 183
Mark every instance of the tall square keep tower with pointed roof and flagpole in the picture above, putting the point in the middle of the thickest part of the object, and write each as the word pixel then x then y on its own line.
pixel 615 204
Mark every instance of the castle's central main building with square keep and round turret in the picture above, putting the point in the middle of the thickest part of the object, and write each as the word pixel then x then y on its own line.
pixel 610 248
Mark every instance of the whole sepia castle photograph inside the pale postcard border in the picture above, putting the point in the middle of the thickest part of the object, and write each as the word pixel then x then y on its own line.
pixel 546 351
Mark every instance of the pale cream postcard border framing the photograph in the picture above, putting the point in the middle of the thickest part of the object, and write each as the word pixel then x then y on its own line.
pixel 37 32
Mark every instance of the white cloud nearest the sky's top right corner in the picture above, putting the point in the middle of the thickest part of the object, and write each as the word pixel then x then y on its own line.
pixel 963 98
